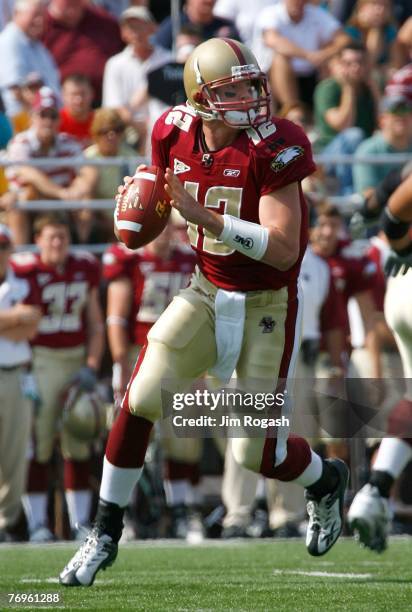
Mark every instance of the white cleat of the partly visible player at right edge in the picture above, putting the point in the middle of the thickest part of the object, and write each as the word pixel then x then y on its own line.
pixel 369 517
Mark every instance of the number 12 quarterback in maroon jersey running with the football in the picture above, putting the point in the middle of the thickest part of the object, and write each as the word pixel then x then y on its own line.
pixel 234 175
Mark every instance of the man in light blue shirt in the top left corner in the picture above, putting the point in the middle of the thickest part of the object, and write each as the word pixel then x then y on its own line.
pixel 22 52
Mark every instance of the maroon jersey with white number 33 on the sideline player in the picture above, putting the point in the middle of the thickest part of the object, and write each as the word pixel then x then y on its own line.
pixel 63 296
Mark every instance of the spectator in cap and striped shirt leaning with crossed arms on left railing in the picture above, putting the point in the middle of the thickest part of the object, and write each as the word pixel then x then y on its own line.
pixel 41 140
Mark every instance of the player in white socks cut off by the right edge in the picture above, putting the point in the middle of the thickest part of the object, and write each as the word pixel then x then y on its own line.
pixel 369 515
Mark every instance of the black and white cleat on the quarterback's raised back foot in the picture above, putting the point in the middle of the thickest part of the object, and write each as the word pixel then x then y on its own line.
pixel 326 514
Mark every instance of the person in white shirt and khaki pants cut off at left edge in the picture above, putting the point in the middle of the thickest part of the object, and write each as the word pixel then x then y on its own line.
pixel 18 324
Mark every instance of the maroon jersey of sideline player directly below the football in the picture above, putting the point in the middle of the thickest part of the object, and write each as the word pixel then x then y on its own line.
pixel 155 282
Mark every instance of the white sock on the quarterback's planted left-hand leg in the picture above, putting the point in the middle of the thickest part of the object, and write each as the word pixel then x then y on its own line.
pixel 118 483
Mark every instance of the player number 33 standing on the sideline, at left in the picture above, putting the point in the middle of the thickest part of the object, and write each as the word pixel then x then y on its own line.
pixel 68 348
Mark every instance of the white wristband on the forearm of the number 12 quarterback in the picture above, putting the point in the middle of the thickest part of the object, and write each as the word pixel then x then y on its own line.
pixel 250 239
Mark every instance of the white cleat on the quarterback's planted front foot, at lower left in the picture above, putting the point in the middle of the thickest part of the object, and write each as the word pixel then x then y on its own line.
pixel 96 553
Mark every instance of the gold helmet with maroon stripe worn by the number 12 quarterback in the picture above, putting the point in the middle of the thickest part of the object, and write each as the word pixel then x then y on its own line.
pixel 220 62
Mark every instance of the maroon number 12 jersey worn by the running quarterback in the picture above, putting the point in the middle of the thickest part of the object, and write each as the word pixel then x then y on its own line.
pixel 232 180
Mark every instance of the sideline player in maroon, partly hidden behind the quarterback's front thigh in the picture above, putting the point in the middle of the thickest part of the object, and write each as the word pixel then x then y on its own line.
pixel 140 286
